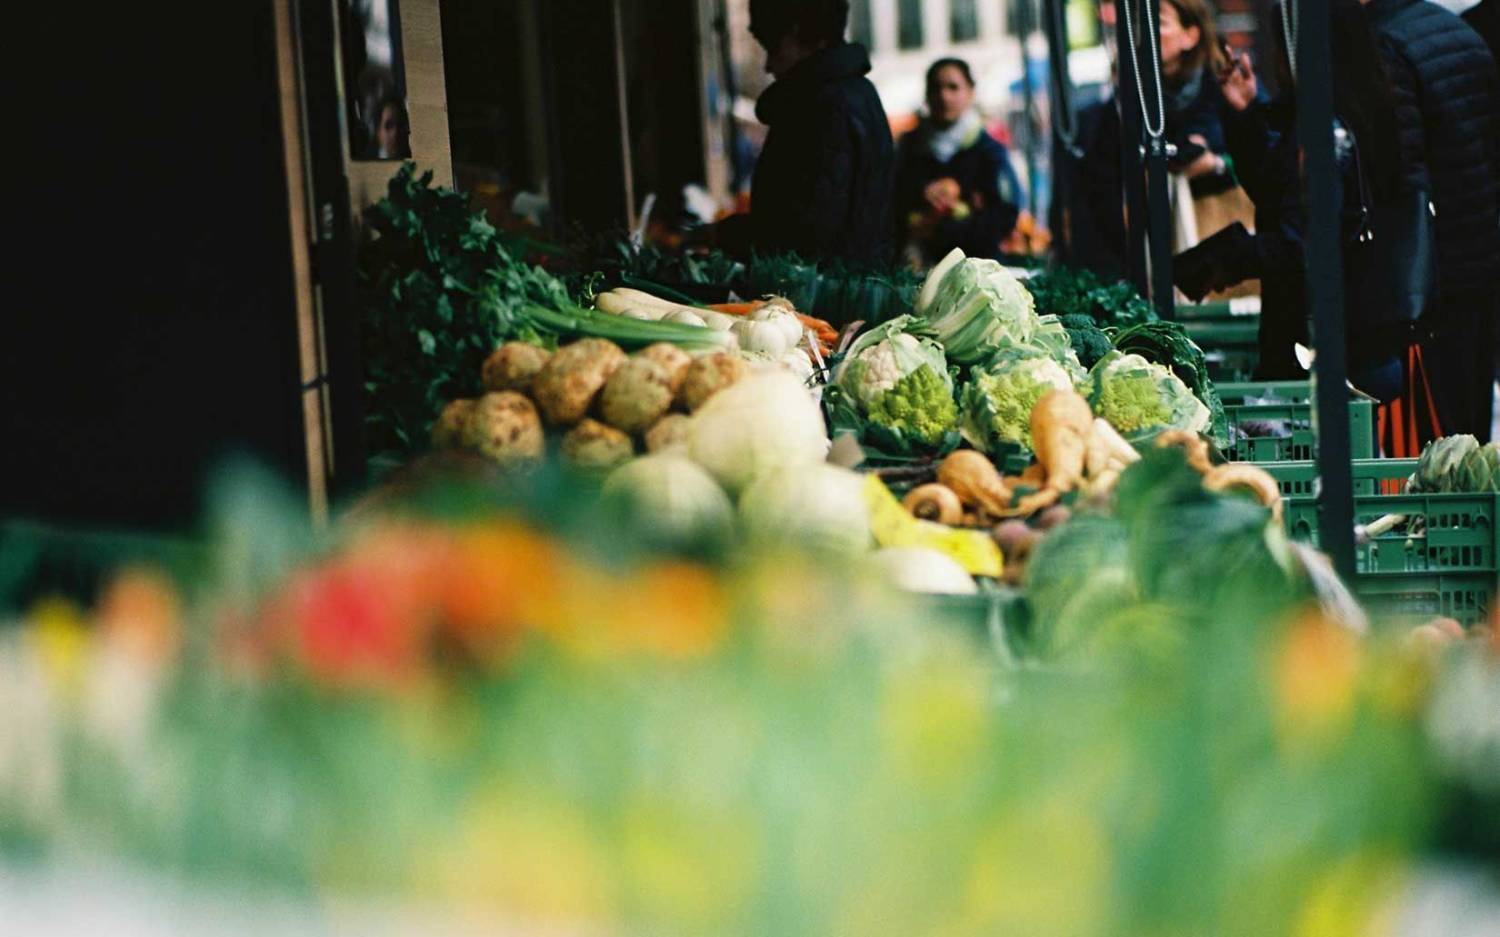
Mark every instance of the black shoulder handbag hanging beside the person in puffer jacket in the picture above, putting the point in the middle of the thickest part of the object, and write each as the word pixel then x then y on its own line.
pixel 1390 269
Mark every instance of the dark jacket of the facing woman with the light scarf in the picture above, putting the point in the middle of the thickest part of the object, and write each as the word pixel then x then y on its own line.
pixel 988 185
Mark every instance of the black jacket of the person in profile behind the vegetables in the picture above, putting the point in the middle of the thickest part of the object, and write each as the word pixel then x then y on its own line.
pixel 823 185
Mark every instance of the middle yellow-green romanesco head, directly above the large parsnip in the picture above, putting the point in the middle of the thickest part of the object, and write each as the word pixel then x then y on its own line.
pixel 998 401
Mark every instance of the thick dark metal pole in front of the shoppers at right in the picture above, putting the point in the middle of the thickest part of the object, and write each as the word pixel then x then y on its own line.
pixel 1307 25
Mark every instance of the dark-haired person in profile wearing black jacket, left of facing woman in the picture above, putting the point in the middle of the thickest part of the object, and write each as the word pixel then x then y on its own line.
pixel 823 184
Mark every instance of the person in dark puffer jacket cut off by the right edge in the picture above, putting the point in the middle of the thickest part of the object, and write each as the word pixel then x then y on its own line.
pixel 1448 106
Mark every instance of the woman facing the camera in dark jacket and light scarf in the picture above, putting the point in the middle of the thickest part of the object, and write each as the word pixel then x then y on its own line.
pixel 955 184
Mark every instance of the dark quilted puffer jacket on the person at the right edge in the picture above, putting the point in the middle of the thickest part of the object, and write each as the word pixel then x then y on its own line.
pixel 1448 104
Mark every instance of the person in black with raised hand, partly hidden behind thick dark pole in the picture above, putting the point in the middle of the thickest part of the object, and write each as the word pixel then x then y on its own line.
pixel 1262 139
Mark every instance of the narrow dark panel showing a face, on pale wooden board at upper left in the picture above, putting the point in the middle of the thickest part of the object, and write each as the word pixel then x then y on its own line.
pixel 374 80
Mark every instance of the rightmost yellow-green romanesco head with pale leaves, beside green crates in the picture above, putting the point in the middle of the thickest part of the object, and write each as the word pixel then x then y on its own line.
pixel 1138 397
